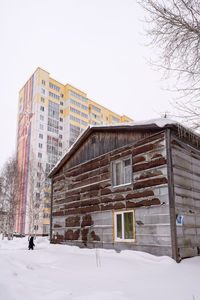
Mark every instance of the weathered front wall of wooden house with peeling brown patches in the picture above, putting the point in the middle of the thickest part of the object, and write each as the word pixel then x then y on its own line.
pixel 84 199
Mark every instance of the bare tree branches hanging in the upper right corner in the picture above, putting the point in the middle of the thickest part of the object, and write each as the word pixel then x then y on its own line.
pixel 173 26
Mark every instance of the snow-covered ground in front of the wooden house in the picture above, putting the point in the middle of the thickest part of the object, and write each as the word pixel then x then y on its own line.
pixel 59 272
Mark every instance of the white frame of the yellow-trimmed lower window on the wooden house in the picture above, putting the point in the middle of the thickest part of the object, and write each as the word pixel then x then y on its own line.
pixel 123 239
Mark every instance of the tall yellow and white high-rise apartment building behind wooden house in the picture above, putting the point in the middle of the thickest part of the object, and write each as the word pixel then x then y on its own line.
pixel 50 118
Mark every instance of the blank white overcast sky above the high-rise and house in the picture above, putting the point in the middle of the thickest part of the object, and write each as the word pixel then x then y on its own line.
pixel 96 45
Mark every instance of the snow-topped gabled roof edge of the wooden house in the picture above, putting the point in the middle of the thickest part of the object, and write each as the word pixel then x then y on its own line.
pixel 142 125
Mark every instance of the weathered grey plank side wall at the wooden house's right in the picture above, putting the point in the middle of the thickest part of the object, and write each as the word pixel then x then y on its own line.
pixel 186 164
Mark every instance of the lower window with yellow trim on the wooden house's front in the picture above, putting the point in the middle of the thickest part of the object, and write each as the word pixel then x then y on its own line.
pixel 124 226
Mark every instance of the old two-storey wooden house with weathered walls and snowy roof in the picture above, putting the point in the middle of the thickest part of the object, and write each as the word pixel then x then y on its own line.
pixel 130 186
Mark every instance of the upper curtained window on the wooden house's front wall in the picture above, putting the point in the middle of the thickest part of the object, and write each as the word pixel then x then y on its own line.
pixel 121 172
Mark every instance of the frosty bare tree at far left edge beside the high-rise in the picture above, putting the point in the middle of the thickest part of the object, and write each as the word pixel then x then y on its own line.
pixel 9 187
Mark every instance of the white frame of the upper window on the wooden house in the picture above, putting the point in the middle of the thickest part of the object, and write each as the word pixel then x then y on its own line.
pixel 122 169
